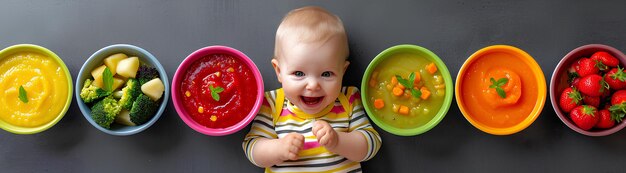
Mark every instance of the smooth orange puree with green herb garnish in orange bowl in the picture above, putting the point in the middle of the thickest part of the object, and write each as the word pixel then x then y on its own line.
pixel 484 103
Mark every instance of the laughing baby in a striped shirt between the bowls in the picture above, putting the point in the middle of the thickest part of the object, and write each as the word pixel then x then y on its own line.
pixel 312 124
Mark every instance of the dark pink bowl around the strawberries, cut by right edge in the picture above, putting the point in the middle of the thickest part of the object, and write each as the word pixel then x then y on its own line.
pixel 558 83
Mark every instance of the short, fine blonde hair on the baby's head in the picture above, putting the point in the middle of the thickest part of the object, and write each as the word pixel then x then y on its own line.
pixel 310 24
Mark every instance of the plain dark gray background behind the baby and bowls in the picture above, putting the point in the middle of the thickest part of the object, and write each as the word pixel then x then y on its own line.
pixel 171 30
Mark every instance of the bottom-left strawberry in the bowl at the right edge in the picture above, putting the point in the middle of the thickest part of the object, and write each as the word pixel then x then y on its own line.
pixel 584 116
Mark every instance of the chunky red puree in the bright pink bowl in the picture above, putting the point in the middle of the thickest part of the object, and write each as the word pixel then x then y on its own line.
pixel 235 101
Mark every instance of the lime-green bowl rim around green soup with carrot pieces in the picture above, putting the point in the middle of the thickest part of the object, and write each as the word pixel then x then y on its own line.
pixel 420 52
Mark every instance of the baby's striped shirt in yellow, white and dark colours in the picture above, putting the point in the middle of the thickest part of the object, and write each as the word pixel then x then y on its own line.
pixel 345 115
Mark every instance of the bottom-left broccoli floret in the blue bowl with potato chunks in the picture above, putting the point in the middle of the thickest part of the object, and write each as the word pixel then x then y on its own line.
pixel 104 111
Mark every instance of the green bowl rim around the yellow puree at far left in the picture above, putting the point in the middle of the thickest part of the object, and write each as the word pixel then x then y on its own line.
pixel 66 104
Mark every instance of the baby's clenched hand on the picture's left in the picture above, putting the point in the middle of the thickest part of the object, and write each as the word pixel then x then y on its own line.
pixel 289 146
